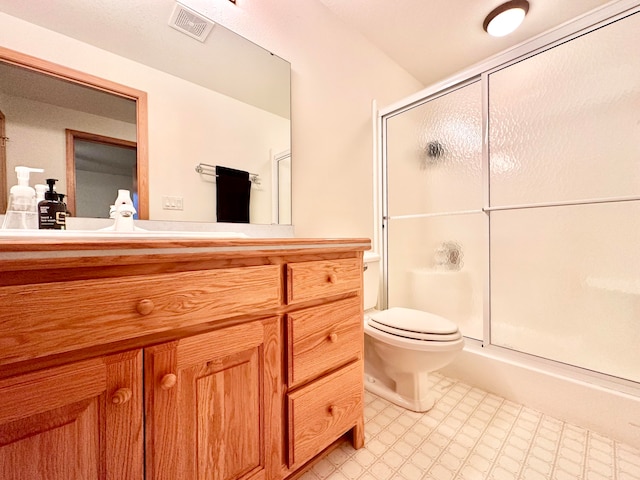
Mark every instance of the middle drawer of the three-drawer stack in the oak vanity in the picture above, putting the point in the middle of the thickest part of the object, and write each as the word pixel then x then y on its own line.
pixel 323 338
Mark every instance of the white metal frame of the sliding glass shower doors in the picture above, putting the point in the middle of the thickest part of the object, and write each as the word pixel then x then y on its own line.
pixel 569 31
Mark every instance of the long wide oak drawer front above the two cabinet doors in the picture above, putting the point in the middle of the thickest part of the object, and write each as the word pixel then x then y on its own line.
pixel 43 319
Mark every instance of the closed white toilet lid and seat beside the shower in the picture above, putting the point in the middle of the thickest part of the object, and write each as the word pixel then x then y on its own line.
pixel 416 324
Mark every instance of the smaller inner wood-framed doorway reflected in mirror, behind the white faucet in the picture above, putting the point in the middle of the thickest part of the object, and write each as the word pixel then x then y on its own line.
pixel 97 167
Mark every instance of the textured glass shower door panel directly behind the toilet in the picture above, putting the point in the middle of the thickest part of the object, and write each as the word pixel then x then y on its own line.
pixel 434 223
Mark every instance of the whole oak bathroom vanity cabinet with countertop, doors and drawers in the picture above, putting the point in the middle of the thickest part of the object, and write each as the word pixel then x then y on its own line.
pixel 161 359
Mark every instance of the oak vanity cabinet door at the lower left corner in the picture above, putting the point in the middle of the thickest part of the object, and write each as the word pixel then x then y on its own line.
pixel 81 421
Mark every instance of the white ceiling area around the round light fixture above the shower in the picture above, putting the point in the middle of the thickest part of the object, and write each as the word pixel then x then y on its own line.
pixel 433 39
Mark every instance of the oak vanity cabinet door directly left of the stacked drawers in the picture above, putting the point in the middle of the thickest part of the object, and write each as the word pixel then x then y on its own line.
pixel 213 404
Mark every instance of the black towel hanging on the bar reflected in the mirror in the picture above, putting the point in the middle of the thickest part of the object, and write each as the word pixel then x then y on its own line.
pixel 233 190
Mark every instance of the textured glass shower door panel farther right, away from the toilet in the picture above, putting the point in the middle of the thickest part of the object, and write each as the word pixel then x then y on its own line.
pixel 565 202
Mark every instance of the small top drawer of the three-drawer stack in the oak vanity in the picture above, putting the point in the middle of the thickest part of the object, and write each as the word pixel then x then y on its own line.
pixel 322 278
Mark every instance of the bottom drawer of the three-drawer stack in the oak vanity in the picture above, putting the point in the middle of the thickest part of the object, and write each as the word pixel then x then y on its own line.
pixel 323 411
